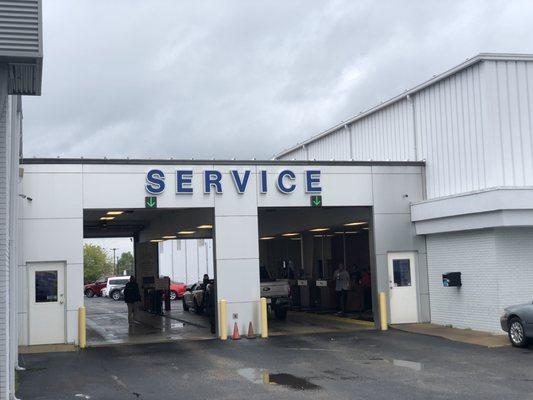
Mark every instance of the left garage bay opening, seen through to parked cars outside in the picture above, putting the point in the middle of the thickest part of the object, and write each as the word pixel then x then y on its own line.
pixel 169 255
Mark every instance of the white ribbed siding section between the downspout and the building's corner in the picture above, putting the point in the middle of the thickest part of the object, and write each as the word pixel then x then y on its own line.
pixel 449 124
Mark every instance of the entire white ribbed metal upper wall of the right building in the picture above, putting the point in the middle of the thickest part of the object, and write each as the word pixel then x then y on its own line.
pixel 474 129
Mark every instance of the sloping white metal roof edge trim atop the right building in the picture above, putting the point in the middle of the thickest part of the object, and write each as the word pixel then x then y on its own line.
pixel 437 78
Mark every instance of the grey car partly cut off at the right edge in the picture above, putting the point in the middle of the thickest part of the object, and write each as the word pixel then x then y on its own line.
pixel 517 321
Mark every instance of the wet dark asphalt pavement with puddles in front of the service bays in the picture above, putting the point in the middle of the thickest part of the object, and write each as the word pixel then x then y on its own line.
pixel 360 365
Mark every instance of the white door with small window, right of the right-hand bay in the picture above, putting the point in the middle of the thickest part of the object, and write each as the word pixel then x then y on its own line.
pixel 402 284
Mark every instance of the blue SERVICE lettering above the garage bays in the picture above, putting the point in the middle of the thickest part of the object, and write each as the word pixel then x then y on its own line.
pixel 285 181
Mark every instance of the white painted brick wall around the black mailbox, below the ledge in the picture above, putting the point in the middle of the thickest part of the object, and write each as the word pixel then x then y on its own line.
pixel 497 271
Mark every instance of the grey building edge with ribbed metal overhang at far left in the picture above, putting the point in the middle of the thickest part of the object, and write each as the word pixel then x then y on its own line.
pixel 20 74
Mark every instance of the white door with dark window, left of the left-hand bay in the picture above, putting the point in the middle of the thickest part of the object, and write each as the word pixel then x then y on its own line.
pixel 47 303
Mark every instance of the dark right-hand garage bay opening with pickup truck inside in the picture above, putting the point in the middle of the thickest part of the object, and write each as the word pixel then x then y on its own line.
pixel 316 269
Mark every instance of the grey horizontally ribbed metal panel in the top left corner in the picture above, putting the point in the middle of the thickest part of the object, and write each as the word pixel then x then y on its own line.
pixel 20 29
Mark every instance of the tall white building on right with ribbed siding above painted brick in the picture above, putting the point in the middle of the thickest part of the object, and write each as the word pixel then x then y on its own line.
pixel 473 128
